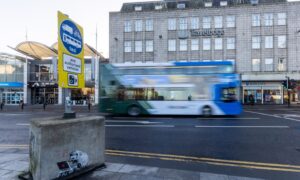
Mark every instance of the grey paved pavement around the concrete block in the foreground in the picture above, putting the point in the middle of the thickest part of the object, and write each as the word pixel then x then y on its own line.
pixel 12 165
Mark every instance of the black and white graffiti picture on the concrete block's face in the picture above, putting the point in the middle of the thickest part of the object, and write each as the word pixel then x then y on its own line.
pixel 77 160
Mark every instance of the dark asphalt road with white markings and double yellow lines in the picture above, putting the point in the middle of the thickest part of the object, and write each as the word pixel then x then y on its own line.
pixel 261 143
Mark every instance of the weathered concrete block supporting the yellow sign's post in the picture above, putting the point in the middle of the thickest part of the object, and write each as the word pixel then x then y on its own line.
pixel 60 148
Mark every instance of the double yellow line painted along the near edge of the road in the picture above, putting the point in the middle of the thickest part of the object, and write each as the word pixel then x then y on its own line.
pixel 180 158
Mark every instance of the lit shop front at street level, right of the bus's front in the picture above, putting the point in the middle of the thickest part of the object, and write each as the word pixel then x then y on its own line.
pixel 263 92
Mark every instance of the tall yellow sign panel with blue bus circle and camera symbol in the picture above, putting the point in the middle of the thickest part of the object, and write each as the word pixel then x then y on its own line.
pixel 70 53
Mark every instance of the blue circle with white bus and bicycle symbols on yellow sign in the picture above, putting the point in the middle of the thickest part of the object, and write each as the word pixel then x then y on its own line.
pixel 71 37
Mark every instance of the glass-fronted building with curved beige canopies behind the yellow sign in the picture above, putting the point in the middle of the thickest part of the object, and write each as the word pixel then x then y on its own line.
pixel 33 78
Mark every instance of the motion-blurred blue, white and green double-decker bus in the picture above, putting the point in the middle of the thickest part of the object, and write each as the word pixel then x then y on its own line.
pixel 178 88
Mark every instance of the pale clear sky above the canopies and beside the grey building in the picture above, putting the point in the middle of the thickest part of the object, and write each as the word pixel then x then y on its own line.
pixel 38 19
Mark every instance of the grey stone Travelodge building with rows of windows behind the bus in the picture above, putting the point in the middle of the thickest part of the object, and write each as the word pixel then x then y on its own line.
pixel 260 36
